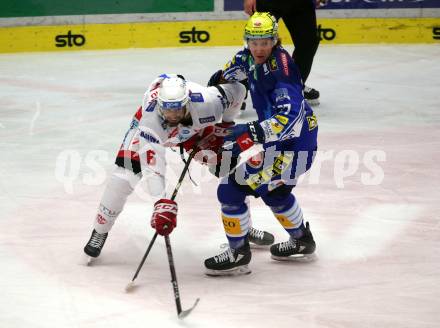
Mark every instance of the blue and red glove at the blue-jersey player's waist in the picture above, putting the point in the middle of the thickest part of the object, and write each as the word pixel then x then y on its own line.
pixel 242 137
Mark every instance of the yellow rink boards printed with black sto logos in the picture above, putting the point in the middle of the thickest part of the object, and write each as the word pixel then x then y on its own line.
pixel 207 33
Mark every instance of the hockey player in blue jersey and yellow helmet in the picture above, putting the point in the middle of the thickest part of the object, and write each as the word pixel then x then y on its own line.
pixel 286 134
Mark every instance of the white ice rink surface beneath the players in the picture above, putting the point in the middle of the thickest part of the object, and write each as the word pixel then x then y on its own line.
pixel 371 198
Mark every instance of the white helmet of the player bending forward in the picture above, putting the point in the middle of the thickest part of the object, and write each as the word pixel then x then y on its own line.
pixel 173 93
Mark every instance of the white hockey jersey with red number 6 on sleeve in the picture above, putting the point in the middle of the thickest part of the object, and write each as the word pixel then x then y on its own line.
pixel 149 133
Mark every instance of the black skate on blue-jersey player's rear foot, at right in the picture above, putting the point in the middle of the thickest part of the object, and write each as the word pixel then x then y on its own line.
pixel 300 249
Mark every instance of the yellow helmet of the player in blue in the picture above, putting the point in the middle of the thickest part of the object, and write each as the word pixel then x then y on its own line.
pixel 261 25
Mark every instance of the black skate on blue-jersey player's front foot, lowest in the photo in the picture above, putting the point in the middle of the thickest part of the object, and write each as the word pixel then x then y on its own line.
pixel 229 263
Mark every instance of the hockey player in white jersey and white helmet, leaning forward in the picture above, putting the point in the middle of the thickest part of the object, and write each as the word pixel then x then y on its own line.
pixel 174 112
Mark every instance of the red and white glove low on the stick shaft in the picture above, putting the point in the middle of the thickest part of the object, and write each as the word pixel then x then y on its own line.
pixel 164 218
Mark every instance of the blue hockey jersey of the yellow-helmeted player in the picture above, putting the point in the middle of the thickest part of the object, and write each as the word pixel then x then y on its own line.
pixel 276 90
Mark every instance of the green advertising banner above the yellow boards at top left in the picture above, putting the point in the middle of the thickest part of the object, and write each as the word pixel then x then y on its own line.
pixel 32 8
